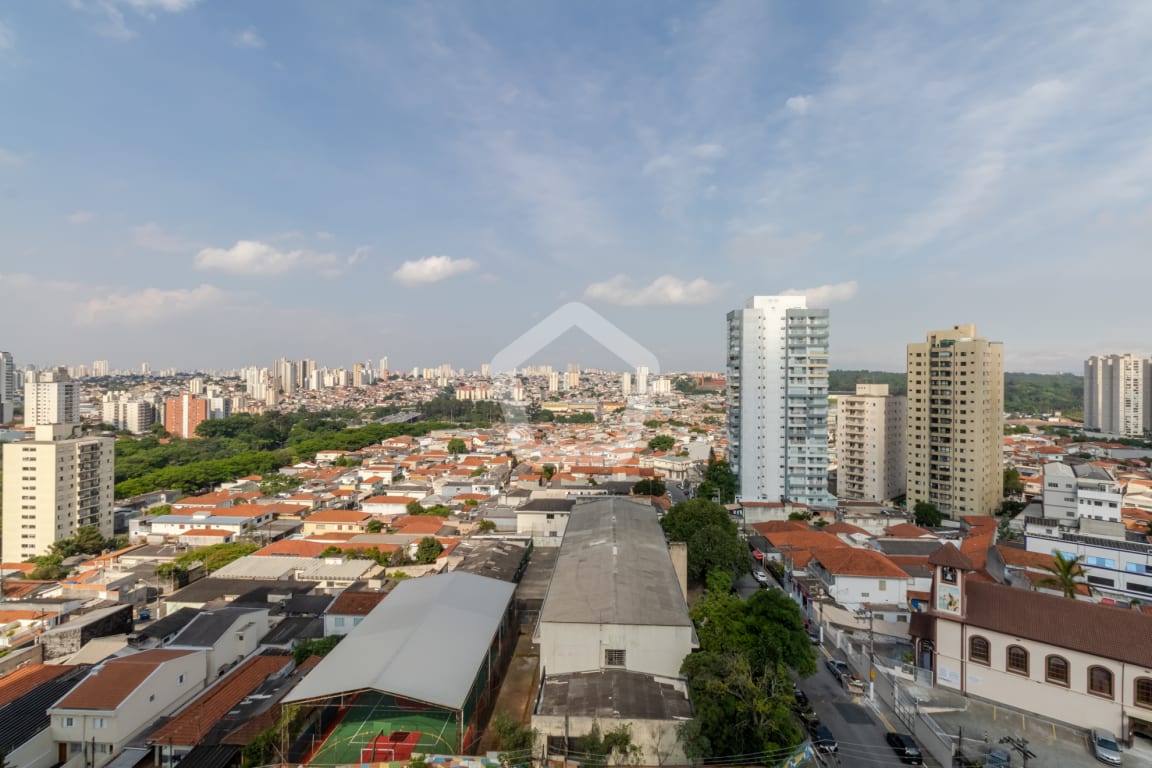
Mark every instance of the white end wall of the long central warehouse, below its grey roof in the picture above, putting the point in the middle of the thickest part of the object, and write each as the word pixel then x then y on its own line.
pixel 580 648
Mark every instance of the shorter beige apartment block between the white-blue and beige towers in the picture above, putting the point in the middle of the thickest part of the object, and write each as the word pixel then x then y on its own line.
pixel 870 444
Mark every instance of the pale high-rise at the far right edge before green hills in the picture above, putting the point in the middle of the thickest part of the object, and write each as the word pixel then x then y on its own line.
pixel 1117 396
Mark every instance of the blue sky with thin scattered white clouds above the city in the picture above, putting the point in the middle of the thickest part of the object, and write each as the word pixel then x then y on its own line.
pixel 207 185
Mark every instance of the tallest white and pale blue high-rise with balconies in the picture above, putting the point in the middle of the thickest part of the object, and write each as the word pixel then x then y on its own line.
pixel 778 400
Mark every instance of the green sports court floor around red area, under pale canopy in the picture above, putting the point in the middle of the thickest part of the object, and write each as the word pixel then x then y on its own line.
pixel 375 713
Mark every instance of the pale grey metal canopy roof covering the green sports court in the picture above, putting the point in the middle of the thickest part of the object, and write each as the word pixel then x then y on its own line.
pixel 426 642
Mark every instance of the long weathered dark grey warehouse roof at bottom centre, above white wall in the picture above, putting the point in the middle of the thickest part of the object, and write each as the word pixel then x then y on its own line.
pixel 615 568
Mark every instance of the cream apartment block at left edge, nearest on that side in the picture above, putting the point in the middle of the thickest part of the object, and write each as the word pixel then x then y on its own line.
pixel 52 486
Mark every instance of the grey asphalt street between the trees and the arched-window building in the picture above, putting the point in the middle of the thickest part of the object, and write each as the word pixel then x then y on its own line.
pixel 858 728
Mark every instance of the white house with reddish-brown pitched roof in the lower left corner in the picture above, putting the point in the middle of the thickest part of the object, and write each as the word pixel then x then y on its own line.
pixel 119 699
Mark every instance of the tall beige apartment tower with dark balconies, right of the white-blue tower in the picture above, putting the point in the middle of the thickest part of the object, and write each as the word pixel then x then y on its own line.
pixel 956 422
